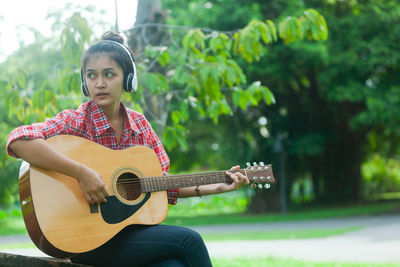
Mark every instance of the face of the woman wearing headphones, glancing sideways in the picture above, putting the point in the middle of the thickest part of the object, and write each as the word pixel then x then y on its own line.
pixel 104 79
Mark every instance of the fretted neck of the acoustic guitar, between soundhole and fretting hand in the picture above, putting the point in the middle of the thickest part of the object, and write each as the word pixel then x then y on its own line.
pixel 169 182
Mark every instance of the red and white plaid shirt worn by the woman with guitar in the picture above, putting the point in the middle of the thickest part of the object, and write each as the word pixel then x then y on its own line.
pixel 90 122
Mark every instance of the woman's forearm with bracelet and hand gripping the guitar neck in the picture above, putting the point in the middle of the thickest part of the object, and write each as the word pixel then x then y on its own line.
pixel 238 179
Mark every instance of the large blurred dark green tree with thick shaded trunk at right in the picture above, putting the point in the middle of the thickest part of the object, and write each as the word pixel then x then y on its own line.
pixel 337 93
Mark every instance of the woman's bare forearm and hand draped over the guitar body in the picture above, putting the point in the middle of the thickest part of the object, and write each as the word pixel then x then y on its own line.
pixel 37 152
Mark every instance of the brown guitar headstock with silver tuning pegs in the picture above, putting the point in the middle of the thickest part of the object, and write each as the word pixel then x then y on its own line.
pixel 260 175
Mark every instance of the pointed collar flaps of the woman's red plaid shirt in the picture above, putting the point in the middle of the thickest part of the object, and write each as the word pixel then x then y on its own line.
pixel 101 123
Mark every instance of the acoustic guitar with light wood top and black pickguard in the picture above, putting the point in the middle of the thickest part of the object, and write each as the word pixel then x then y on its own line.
pixel 61 222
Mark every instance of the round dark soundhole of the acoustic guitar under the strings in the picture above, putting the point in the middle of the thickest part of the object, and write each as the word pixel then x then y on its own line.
pixel 128 186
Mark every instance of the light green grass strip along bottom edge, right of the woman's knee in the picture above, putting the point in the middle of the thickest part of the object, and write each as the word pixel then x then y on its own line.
pixel 276 262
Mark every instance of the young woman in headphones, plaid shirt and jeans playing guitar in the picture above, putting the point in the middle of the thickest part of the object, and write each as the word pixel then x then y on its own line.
pixel 108 69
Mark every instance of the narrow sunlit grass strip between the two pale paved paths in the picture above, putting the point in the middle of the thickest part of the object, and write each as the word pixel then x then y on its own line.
pixel 277 235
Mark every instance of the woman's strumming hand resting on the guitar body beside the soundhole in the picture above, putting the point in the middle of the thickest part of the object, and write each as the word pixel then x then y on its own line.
pixel 92 185
